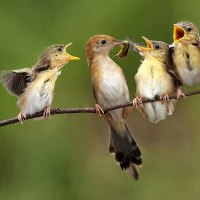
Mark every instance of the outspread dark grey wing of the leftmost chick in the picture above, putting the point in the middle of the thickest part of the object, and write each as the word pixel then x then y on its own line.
pixel 16 81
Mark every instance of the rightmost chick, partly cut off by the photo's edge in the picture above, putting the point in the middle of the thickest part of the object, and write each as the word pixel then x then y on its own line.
pixel 186 52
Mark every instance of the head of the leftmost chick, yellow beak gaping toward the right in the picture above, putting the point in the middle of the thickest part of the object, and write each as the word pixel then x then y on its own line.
pixel 56 56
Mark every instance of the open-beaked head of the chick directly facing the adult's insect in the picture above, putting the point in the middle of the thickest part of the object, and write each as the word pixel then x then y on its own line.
pixel 154 49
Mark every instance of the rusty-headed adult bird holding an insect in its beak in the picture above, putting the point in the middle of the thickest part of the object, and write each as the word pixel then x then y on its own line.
pixel 110 88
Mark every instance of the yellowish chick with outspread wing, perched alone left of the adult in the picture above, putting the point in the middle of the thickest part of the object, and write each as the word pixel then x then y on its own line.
pixel 34 86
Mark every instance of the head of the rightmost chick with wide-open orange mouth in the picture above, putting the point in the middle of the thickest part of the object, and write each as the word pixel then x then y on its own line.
pixel 185 32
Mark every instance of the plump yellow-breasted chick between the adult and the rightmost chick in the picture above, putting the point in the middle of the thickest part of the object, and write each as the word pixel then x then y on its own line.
pixel 155 78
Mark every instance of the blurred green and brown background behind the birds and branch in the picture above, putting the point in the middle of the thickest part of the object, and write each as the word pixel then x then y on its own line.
pixel 66 157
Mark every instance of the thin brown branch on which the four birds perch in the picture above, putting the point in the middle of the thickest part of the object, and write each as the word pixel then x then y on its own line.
pixel 87 110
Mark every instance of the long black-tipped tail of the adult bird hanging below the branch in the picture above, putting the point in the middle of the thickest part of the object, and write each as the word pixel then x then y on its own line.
pixel 126 151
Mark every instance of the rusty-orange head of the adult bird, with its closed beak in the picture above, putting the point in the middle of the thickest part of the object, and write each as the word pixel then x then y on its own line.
pixel 101 45
